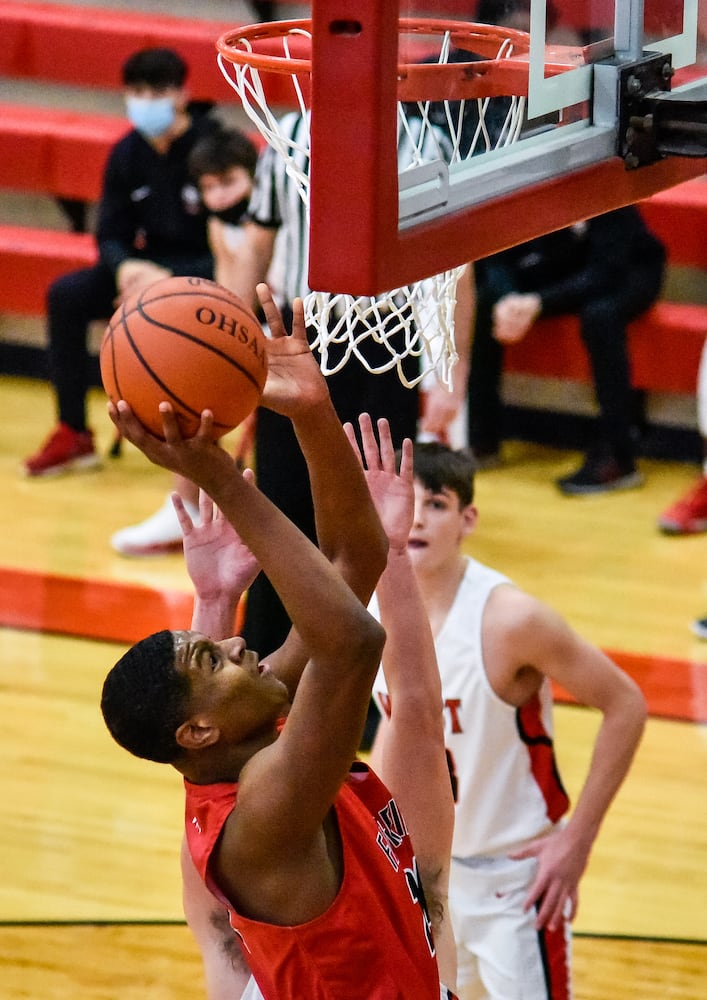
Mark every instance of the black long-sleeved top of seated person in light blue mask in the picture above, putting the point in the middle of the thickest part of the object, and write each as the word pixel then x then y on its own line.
pixel 150 207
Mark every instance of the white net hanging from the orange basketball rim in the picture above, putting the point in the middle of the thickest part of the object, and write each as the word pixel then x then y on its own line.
pixel 412 326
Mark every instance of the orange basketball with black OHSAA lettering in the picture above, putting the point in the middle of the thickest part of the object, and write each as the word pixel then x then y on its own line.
pixel 188 341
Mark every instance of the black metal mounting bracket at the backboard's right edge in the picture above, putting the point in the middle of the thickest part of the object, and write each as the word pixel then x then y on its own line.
pixel 653 121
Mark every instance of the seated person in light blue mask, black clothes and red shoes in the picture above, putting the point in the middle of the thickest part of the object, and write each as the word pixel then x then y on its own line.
pixel 150 225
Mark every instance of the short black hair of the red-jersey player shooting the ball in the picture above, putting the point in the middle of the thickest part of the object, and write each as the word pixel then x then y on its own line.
pixel 144 699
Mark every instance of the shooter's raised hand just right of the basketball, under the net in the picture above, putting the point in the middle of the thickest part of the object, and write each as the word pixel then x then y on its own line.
pixel 295 382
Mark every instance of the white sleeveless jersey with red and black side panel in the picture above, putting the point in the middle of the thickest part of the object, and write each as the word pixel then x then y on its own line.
pixel 508 789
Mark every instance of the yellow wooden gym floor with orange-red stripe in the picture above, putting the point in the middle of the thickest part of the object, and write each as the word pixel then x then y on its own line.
pixel 89 877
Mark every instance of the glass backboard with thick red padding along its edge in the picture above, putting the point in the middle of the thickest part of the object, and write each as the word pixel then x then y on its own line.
pixel 368 234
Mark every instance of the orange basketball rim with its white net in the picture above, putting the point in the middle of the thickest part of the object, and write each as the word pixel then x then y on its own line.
pixel 462 93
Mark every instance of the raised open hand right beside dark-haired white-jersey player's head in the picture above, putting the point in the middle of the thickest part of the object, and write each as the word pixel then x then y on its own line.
pixel 390 489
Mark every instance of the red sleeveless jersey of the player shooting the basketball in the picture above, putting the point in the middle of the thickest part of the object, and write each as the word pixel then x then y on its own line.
pixel 375 940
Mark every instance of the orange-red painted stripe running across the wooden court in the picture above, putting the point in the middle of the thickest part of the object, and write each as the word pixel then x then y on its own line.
pixel 124 613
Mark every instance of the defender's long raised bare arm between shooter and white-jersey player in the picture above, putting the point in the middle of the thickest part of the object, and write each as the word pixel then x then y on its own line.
pixel 412 761
